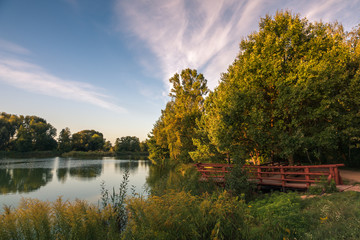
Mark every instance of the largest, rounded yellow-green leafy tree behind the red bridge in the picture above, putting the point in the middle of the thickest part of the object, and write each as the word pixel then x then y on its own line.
pixel 291 92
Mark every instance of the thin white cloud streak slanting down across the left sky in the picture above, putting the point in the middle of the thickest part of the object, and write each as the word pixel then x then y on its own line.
pixel 33 78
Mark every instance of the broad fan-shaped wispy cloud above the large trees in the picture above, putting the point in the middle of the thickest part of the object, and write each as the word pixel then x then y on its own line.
pixel 205 34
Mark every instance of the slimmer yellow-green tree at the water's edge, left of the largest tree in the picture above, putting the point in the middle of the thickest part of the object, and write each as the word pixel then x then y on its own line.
pixel 173 133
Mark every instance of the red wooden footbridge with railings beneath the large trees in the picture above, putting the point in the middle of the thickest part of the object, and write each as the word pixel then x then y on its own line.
pixel 283 176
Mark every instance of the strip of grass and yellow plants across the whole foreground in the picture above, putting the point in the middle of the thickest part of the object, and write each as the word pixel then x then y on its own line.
pixel 181 215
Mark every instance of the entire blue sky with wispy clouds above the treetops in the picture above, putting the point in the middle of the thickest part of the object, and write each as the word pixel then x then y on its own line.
pixel 105 65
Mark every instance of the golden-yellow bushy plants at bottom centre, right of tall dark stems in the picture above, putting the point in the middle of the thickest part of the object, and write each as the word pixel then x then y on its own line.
pixel 180 215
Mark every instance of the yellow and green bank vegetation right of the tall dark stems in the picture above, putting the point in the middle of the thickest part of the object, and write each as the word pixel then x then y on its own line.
pixel 181 215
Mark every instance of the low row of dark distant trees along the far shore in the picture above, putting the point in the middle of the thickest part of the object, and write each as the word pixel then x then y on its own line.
pixel 32 133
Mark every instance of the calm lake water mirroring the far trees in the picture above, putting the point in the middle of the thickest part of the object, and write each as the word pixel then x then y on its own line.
pixel 71 178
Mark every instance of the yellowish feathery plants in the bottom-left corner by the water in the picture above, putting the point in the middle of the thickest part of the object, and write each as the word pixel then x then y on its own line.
pixel 35 219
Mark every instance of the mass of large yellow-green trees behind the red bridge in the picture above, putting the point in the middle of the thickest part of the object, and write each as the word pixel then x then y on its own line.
pixel 292 94
